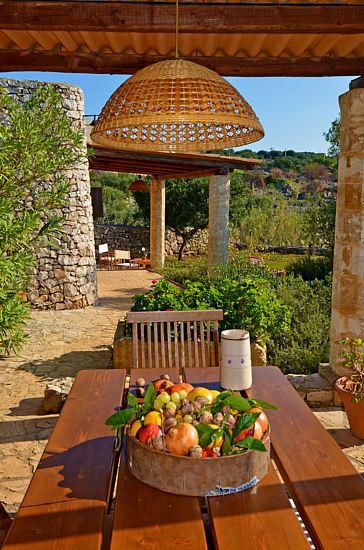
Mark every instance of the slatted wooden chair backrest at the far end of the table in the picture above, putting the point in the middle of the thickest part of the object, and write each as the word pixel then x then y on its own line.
pixel 163 339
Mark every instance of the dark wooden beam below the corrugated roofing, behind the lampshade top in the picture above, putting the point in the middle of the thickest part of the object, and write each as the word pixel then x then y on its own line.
pixel 109 63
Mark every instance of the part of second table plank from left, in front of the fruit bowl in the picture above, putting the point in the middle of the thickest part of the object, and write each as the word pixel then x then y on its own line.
pixel 146 517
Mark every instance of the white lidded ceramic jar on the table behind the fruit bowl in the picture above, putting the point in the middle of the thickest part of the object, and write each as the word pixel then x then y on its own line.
pixel 235 364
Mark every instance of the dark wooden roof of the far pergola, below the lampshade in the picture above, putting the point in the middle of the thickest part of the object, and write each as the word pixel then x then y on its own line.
pixel 166 165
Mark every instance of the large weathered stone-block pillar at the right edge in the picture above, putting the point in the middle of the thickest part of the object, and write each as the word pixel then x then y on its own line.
pixel 347 317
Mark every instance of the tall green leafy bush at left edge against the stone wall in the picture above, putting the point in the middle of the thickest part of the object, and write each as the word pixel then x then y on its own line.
pixel 37 146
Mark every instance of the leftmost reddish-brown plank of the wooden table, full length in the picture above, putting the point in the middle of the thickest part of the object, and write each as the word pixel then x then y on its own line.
pixel 66 502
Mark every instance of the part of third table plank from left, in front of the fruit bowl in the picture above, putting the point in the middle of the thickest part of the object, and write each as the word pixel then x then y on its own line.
pixel 259 519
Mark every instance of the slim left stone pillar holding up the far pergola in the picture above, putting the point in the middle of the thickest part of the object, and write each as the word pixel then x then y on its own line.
pixel 157 223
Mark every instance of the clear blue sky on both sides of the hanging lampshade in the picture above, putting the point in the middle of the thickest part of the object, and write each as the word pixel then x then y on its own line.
pixel 294 111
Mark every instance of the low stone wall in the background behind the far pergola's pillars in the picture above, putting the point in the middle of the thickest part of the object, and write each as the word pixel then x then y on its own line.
pixel 134 238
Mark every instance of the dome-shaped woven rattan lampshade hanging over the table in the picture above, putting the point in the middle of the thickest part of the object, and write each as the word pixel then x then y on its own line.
pixel 176 106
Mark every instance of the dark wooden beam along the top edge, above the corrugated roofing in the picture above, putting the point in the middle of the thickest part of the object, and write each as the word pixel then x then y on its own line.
pixel 193 18
